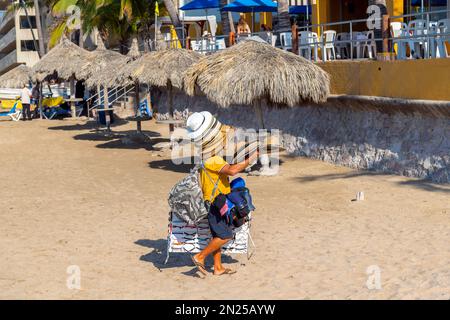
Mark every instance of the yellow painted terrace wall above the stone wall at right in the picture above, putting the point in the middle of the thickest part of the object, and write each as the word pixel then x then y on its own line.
pixel 409 79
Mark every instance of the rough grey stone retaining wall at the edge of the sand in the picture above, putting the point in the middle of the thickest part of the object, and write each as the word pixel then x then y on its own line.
pixel 398 139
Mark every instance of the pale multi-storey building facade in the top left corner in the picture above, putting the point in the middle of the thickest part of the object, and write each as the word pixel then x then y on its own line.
pixel 16 39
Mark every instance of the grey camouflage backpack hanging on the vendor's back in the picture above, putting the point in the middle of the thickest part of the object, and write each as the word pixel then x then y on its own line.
pixel 186 198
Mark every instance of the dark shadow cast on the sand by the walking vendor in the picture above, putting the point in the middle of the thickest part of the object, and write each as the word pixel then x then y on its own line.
pixel 177 260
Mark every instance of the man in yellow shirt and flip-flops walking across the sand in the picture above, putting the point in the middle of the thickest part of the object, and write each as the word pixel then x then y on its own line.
pixel 214 180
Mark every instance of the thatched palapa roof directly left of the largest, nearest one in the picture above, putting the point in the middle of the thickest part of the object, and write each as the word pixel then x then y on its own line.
pixel 160 68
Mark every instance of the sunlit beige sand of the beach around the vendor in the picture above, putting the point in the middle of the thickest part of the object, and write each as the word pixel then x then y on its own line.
pixel 72 197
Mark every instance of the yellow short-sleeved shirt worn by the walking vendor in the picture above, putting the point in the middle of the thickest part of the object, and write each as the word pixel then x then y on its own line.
pixel 213 166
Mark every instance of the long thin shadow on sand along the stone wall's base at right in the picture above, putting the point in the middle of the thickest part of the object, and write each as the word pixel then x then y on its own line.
pixel 423 184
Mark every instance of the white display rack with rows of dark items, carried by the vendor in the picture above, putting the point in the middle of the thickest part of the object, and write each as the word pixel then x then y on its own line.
pixel 185 238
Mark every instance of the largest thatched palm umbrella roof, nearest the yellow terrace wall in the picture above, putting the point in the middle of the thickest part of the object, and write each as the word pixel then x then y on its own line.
pixel 251 71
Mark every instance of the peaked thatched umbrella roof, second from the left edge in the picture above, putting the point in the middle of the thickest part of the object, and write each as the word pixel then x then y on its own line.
pixel 66 60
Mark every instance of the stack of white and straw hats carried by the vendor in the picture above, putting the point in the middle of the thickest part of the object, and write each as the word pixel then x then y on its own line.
pixel 214 138
